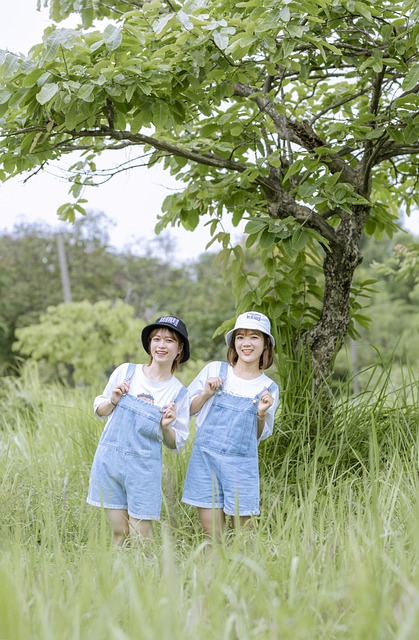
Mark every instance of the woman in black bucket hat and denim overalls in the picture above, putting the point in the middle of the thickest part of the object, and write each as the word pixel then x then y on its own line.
pixel 144 406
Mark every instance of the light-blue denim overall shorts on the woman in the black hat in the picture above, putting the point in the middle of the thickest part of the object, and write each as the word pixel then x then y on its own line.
pixel 127 467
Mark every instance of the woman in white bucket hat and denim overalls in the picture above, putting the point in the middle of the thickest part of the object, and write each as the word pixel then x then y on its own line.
pixel 235 403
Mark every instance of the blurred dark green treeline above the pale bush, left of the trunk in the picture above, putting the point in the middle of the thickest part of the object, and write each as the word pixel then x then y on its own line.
pixel 141 275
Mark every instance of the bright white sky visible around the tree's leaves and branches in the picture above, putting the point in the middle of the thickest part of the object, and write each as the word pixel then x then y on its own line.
pixel 132 199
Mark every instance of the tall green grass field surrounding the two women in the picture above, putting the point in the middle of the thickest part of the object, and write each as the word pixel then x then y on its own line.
pixel 333 555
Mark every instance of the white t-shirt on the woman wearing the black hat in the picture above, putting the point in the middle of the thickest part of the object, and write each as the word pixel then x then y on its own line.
pixel 158 392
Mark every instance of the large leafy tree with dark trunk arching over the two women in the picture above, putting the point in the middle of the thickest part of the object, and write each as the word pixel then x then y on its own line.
pixel 301 117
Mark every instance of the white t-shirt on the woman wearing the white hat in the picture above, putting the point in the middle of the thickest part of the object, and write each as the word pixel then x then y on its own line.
pixel 236 386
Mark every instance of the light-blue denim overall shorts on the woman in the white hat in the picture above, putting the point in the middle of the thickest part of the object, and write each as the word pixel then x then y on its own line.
pixel 223 470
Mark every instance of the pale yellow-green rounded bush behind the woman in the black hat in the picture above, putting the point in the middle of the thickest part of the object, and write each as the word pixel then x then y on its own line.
pixel 81 340
